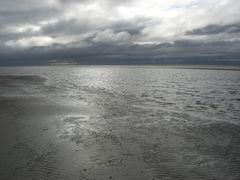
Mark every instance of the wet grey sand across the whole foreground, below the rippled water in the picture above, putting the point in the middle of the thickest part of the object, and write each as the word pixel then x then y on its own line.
pixel 42 138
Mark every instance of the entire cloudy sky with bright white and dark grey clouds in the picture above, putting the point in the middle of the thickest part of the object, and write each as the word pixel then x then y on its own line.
pixel 119 32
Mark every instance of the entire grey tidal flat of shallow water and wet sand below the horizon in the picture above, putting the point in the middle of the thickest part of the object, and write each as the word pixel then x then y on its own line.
pixel 119 123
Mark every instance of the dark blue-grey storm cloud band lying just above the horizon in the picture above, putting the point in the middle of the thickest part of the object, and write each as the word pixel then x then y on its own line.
pixel 110 53
